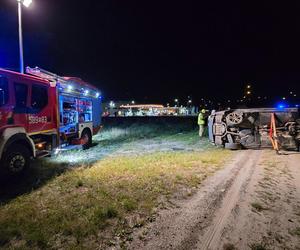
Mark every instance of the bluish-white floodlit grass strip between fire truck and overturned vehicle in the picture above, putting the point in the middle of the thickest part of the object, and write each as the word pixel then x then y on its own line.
pixel 136 139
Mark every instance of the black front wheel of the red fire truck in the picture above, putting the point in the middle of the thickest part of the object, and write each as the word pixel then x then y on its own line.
pixel 16 159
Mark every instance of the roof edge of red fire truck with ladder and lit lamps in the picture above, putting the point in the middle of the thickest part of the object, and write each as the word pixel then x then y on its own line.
pixel 68 85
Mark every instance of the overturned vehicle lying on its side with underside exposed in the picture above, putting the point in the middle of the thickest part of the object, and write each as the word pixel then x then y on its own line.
pixel 250 128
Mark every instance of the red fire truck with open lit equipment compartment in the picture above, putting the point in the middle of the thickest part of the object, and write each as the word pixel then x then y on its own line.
pixel 42 113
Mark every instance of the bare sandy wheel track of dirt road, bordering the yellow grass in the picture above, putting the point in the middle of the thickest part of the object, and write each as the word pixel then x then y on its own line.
pixel 197 223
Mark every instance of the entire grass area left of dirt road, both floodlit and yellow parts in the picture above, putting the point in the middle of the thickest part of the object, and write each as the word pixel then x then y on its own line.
pixel 88 205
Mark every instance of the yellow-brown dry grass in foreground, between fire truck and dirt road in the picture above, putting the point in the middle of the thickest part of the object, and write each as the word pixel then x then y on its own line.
pixel 88 207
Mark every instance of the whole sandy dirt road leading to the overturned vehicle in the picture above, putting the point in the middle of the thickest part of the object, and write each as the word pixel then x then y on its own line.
pixel 253 203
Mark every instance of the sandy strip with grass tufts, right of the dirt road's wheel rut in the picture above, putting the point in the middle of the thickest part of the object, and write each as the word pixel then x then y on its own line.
pixel 267 215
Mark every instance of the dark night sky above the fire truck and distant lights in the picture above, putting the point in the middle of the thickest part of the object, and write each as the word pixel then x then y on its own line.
pixel 155 51
